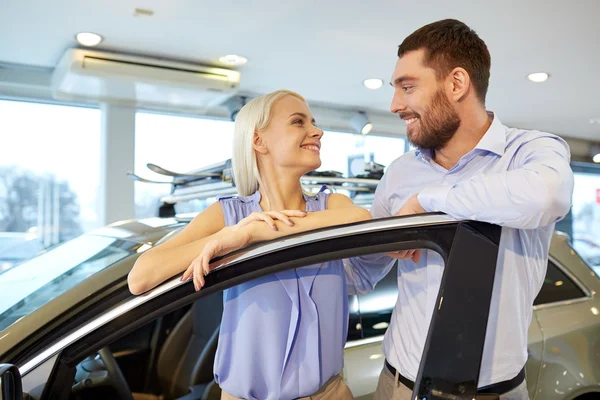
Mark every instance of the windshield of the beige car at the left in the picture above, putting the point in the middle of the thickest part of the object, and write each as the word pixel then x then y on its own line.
pixel 30 285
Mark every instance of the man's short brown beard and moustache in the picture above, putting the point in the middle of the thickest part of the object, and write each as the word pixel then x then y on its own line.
pixel 437 127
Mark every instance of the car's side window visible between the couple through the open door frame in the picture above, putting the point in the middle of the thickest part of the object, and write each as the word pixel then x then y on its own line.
pixel 376 307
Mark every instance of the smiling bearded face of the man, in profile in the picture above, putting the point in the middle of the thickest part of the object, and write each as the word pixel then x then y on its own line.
pixel 420 100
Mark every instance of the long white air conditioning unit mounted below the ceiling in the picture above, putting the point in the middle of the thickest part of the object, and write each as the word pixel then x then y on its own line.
pixel 140 81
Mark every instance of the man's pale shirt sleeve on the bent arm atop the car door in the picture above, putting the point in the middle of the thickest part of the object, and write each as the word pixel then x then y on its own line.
pixel 535 193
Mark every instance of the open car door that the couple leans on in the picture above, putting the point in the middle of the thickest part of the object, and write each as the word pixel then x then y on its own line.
pixel 453 348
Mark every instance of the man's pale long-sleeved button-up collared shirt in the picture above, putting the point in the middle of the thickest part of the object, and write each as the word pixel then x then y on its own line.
pixel 515 178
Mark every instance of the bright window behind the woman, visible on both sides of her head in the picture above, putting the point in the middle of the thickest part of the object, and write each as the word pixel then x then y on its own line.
pixel 185 143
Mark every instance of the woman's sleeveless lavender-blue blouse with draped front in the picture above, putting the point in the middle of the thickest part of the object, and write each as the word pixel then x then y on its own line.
pixel 282 336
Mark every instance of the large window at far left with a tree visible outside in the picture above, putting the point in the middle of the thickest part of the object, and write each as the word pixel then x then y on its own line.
pixel 49 176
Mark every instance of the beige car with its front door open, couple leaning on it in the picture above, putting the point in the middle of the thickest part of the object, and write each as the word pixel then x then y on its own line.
pixel 70 328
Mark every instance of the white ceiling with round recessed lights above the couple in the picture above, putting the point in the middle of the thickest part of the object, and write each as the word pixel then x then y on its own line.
pixel 324 49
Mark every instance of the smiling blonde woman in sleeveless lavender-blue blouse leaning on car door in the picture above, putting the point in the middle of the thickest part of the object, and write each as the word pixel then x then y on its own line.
pixel 281 336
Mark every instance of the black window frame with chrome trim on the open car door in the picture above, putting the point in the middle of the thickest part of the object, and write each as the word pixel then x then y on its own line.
pixel 432 231
